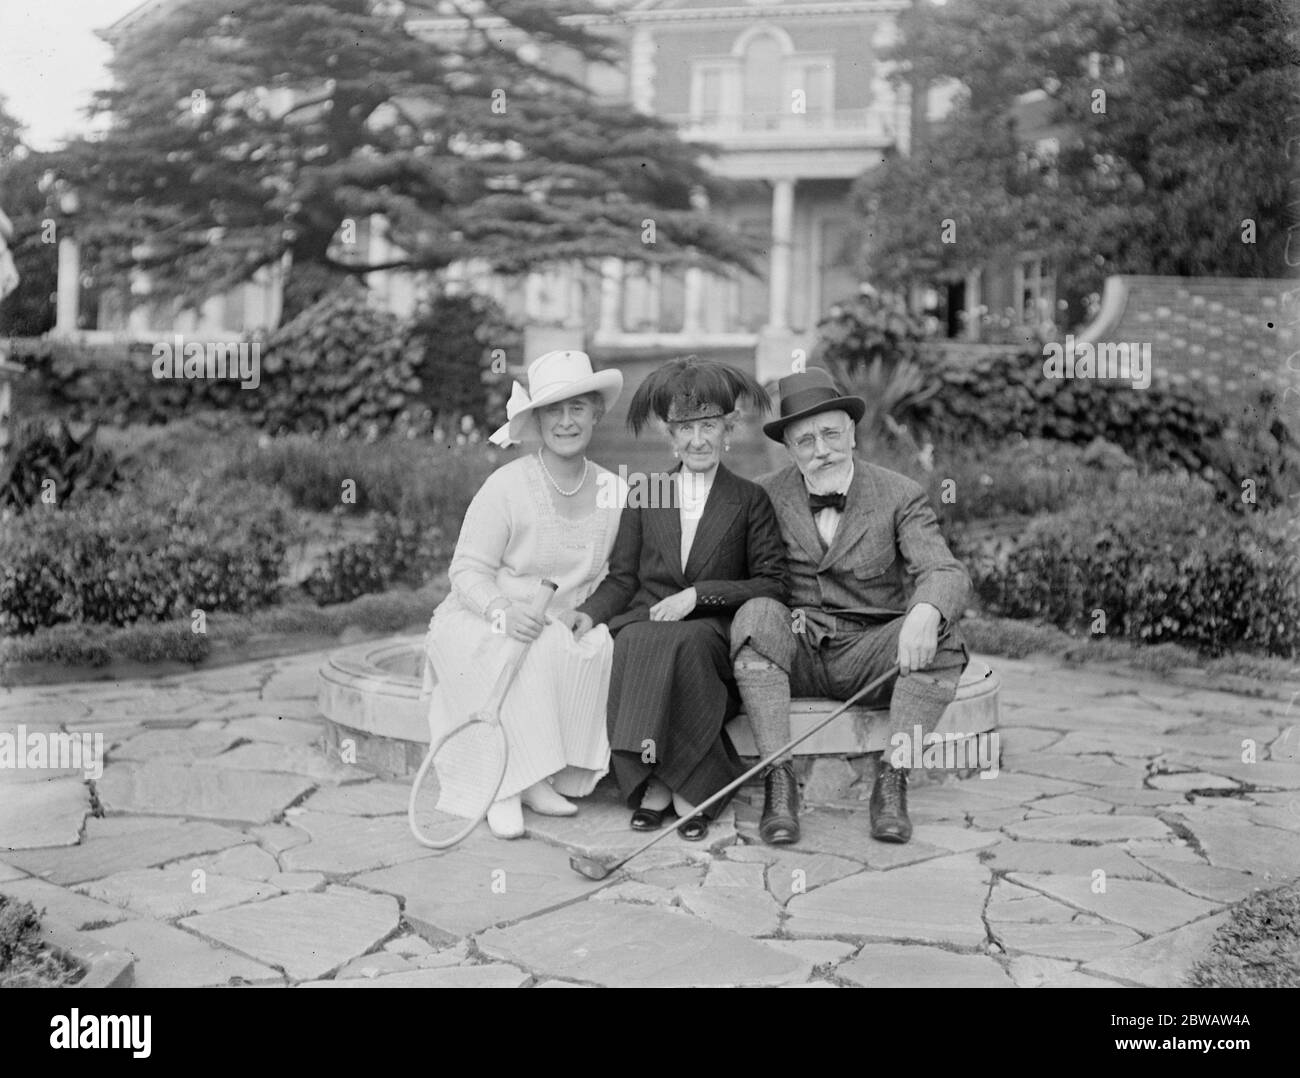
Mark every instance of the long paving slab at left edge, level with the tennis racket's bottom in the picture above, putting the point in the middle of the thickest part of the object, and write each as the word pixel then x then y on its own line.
pixel 135 847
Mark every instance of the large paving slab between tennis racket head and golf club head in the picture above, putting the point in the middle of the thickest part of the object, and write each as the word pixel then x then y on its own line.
pixel 476 886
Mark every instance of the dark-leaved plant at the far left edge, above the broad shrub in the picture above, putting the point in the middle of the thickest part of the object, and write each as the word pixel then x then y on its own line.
pixel 42 452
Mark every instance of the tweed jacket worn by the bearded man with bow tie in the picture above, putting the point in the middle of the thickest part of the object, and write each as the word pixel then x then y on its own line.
pixel 887 556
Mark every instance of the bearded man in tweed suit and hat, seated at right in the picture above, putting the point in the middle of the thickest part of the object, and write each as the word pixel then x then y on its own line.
pixel 872 583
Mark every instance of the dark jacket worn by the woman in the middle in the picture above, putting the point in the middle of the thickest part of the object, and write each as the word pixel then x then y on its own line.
pixel 736 556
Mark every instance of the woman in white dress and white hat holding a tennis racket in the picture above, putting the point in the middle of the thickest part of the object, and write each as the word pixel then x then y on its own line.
pixel 551 514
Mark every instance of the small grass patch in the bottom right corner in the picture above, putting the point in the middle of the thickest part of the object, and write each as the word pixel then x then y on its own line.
pixel 1259 947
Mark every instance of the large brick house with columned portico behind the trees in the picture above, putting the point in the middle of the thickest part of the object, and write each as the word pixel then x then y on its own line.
pixel 796 98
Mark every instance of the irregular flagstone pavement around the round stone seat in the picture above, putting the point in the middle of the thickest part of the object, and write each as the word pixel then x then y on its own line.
pixel 222 846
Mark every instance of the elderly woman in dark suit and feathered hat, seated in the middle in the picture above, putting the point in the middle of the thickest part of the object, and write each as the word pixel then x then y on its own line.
pixel 678 574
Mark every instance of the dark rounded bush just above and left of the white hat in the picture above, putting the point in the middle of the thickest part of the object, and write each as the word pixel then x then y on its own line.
pixel 465 344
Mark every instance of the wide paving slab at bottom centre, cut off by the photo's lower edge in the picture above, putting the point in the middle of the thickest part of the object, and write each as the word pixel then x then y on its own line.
pixel 626 946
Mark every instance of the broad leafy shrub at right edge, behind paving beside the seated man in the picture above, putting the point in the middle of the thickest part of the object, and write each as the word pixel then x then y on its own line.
pixel 1162 561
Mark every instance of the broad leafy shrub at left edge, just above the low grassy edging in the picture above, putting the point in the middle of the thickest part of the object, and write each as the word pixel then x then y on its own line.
pixel 151 553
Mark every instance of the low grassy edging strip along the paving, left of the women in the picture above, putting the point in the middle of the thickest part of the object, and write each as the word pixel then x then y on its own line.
pixel 176 642
